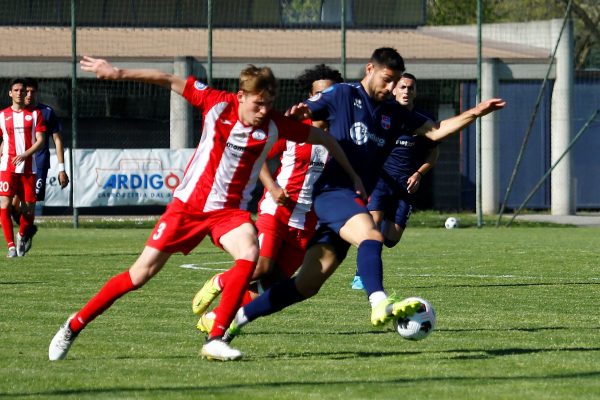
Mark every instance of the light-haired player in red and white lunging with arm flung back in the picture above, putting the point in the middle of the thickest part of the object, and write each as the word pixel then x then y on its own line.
pixel 238 131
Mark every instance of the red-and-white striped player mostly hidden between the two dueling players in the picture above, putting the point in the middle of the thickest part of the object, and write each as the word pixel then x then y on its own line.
pixel 286 220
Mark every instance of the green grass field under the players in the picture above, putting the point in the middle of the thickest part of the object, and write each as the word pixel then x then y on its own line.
pixel 517 318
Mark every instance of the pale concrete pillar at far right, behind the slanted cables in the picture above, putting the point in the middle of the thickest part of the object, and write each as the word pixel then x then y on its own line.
pixel 561 122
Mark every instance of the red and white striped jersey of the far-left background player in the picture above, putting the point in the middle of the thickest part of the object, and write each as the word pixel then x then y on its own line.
pixel 18 134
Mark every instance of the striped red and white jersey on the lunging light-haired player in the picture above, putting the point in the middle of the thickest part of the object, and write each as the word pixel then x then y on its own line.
pixel 223 171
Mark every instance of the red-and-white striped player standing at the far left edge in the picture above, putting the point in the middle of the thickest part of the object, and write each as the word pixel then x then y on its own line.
pixel 22 135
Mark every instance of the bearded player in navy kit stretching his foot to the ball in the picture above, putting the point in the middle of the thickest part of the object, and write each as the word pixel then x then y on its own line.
pixel 366 123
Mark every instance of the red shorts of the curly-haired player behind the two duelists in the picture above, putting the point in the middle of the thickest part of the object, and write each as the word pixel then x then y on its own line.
pixel 281 243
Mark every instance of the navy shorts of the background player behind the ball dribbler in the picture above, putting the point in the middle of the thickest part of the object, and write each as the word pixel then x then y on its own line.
pixel 395 204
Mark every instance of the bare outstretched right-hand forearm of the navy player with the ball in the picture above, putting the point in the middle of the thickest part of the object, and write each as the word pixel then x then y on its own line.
pixel 452 125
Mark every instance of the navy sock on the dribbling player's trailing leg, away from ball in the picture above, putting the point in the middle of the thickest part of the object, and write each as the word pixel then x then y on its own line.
pixel 276 298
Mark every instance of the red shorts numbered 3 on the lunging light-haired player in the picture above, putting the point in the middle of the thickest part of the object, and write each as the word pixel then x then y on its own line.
pixel 181 228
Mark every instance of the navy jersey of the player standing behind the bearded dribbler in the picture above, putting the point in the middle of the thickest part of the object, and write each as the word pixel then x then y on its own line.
pixel 408 154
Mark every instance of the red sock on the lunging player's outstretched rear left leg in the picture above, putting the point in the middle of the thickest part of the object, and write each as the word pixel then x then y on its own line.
pixel 116 287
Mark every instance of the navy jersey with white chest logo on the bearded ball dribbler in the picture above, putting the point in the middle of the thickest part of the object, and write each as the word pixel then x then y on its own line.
pixel 365 129
